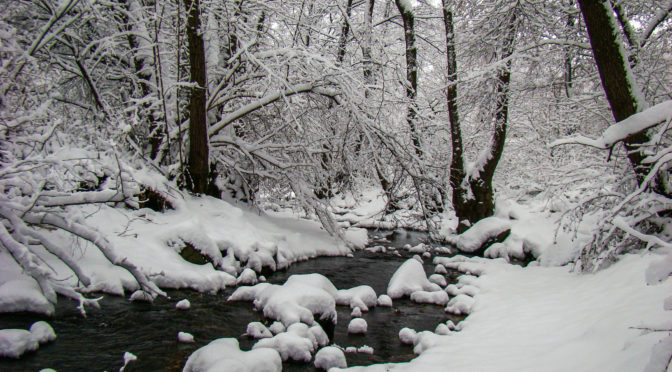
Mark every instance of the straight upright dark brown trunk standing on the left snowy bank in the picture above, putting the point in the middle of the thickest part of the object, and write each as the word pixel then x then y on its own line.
pixel 197 179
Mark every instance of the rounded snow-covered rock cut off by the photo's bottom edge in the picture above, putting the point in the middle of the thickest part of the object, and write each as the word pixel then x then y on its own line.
pixel 224 354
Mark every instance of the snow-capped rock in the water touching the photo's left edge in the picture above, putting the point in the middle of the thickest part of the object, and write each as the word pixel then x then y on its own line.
pixel 15 342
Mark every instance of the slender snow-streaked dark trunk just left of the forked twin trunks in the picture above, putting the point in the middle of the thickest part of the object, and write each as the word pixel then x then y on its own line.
pixel 411 73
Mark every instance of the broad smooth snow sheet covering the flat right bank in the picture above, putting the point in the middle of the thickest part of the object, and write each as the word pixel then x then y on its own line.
pixel 547 318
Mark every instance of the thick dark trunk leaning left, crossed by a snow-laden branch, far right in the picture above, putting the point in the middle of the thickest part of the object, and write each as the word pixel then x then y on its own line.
pixel 613 67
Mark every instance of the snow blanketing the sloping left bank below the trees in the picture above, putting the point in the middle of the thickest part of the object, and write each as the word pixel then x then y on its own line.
pixel 227 234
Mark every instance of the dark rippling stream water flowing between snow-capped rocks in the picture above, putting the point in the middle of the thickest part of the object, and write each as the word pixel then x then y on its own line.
pixel 149 331
